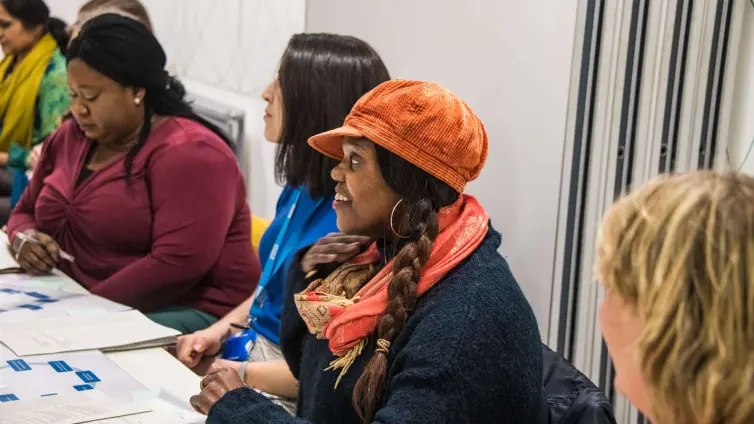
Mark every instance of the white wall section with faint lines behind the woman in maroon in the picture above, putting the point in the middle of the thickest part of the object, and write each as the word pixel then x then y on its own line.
pixel 227 50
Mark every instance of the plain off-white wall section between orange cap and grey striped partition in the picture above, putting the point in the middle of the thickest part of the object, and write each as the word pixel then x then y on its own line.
pixel 511 61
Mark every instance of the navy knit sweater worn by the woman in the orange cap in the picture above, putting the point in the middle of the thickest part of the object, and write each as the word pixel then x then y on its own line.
pixel 469 353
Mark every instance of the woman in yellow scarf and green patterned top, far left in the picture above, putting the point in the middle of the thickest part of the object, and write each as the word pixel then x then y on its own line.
pixel 33 87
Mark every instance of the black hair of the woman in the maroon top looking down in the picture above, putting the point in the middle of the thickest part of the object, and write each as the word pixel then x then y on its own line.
pixel 127 52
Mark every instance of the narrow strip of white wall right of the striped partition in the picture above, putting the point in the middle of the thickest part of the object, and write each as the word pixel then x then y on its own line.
pixel 742 117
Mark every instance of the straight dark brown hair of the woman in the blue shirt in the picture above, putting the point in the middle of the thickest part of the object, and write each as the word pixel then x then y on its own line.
pixel 321 77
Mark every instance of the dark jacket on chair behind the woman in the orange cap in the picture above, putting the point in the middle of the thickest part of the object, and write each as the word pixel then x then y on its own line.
pixel 572 397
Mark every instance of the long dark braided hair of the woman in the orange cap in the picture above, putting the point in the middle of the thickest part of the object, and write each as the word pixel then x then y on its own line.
pixel 422 198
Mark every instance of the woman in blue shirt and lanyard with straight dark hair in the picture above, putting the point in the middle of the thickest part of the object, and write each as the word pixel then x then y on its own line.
pixel 321 77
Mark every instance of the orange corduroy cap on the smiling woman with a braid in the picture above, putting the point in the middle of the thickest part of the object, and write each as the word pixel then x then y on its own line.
pixel 422 123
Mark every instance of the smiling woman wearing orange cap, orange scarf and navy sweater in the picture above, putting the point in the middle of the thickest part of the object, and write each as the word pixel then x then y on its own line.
pixel 427 324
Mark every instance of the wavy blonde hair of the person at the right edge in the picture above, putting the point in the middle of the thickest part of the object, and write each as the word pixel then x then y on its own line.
pixel 681 251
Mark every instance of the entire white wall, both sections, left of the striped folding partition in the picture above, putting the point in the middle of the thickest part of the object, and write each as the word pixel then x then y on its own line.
pixel 509 59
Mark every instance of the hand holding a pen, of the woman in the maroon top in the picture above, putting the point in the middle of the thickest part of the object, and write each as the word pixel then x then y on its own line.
pixel 37 257
